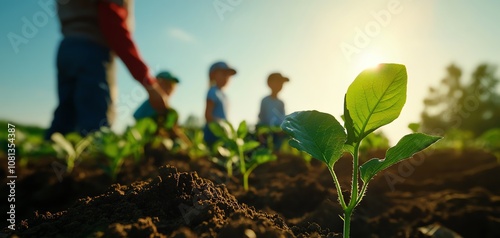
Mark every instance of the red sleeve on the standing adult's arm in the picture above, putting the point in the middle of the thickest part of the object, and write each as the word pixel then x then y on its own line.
pixel 112 22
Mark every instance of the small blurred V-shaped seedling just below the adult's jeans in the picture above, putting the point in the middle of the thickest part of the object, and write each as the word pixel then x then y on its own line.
pixel 73 145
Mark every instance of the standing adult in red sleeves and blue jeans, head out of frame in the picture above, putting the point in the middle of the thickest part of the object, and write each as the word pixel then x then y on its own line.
pixel 93 32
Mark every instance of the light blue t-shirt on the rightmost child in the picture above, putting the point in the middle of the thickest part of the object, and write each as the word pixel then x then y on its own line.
pixel 272 111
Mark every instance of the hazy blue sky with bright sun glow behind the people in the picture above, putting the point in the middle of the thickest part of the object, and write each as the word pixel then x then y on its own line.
pixel 305 40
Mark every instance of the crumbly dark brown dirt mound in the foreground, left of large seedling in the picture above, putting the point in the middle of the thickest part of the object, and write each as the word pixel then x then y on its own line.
pixel 174 204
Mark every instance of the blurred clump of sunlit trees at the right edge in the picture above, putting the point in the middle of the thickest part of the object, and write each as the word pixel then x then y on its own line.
pixel 470 106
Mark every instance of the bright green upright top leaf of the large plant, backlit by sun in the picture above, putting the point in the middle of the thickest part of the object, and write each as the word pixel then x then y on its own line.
pixel 375 98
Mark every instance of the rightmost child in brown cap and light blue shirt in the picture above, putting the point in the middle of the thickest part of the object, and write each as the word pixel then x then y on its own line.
pixel 272 109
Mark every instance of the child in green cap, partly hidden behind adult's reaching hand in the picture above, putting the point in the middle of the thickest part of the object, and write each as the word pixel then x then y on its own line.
pixel 167 122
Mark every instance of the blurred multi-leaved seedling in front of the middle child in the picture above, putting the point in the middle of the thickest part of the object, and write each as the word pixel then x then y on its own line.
pixel 232 143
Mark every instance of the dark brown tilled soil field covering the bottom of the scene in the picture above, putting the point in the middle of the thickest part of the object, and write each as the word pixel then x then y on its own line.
pixel 443 193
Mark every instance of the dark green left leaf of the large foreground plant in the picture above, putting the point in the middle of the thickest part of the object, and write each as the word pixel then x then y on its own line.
pixel 316 133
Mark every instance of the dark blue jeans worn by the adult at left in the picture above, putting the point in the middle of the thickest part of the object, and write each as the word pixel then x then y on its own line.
pixel 86 87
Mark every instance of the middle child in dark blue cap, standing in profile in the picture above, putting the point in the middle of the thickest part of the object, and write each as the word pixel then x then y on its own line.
pixel 216 106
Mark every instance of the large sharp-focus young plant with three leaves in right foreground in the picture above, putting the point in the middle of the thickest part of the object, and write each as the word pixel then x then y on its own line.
pixel 374 99
